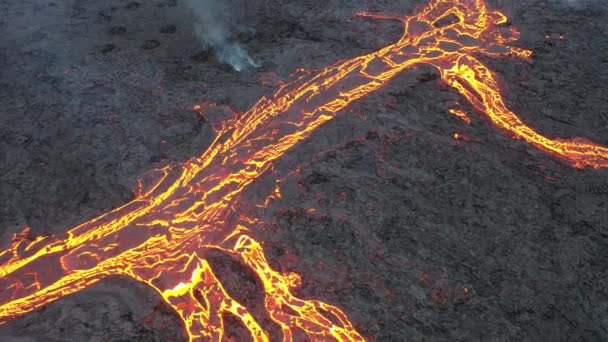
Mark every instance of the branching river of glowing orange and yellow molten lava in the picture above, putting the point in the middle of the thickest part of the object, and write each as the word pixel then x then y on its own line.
pixel 161 237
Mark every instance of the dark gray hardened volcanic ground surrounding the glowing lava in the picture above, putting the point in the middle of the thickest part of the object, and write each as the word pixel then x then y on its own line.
pixel 416 235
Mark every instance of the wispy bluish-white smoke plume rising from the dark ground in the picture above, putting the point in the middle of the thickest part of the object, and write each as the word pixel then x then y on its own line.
pixel 210 29
